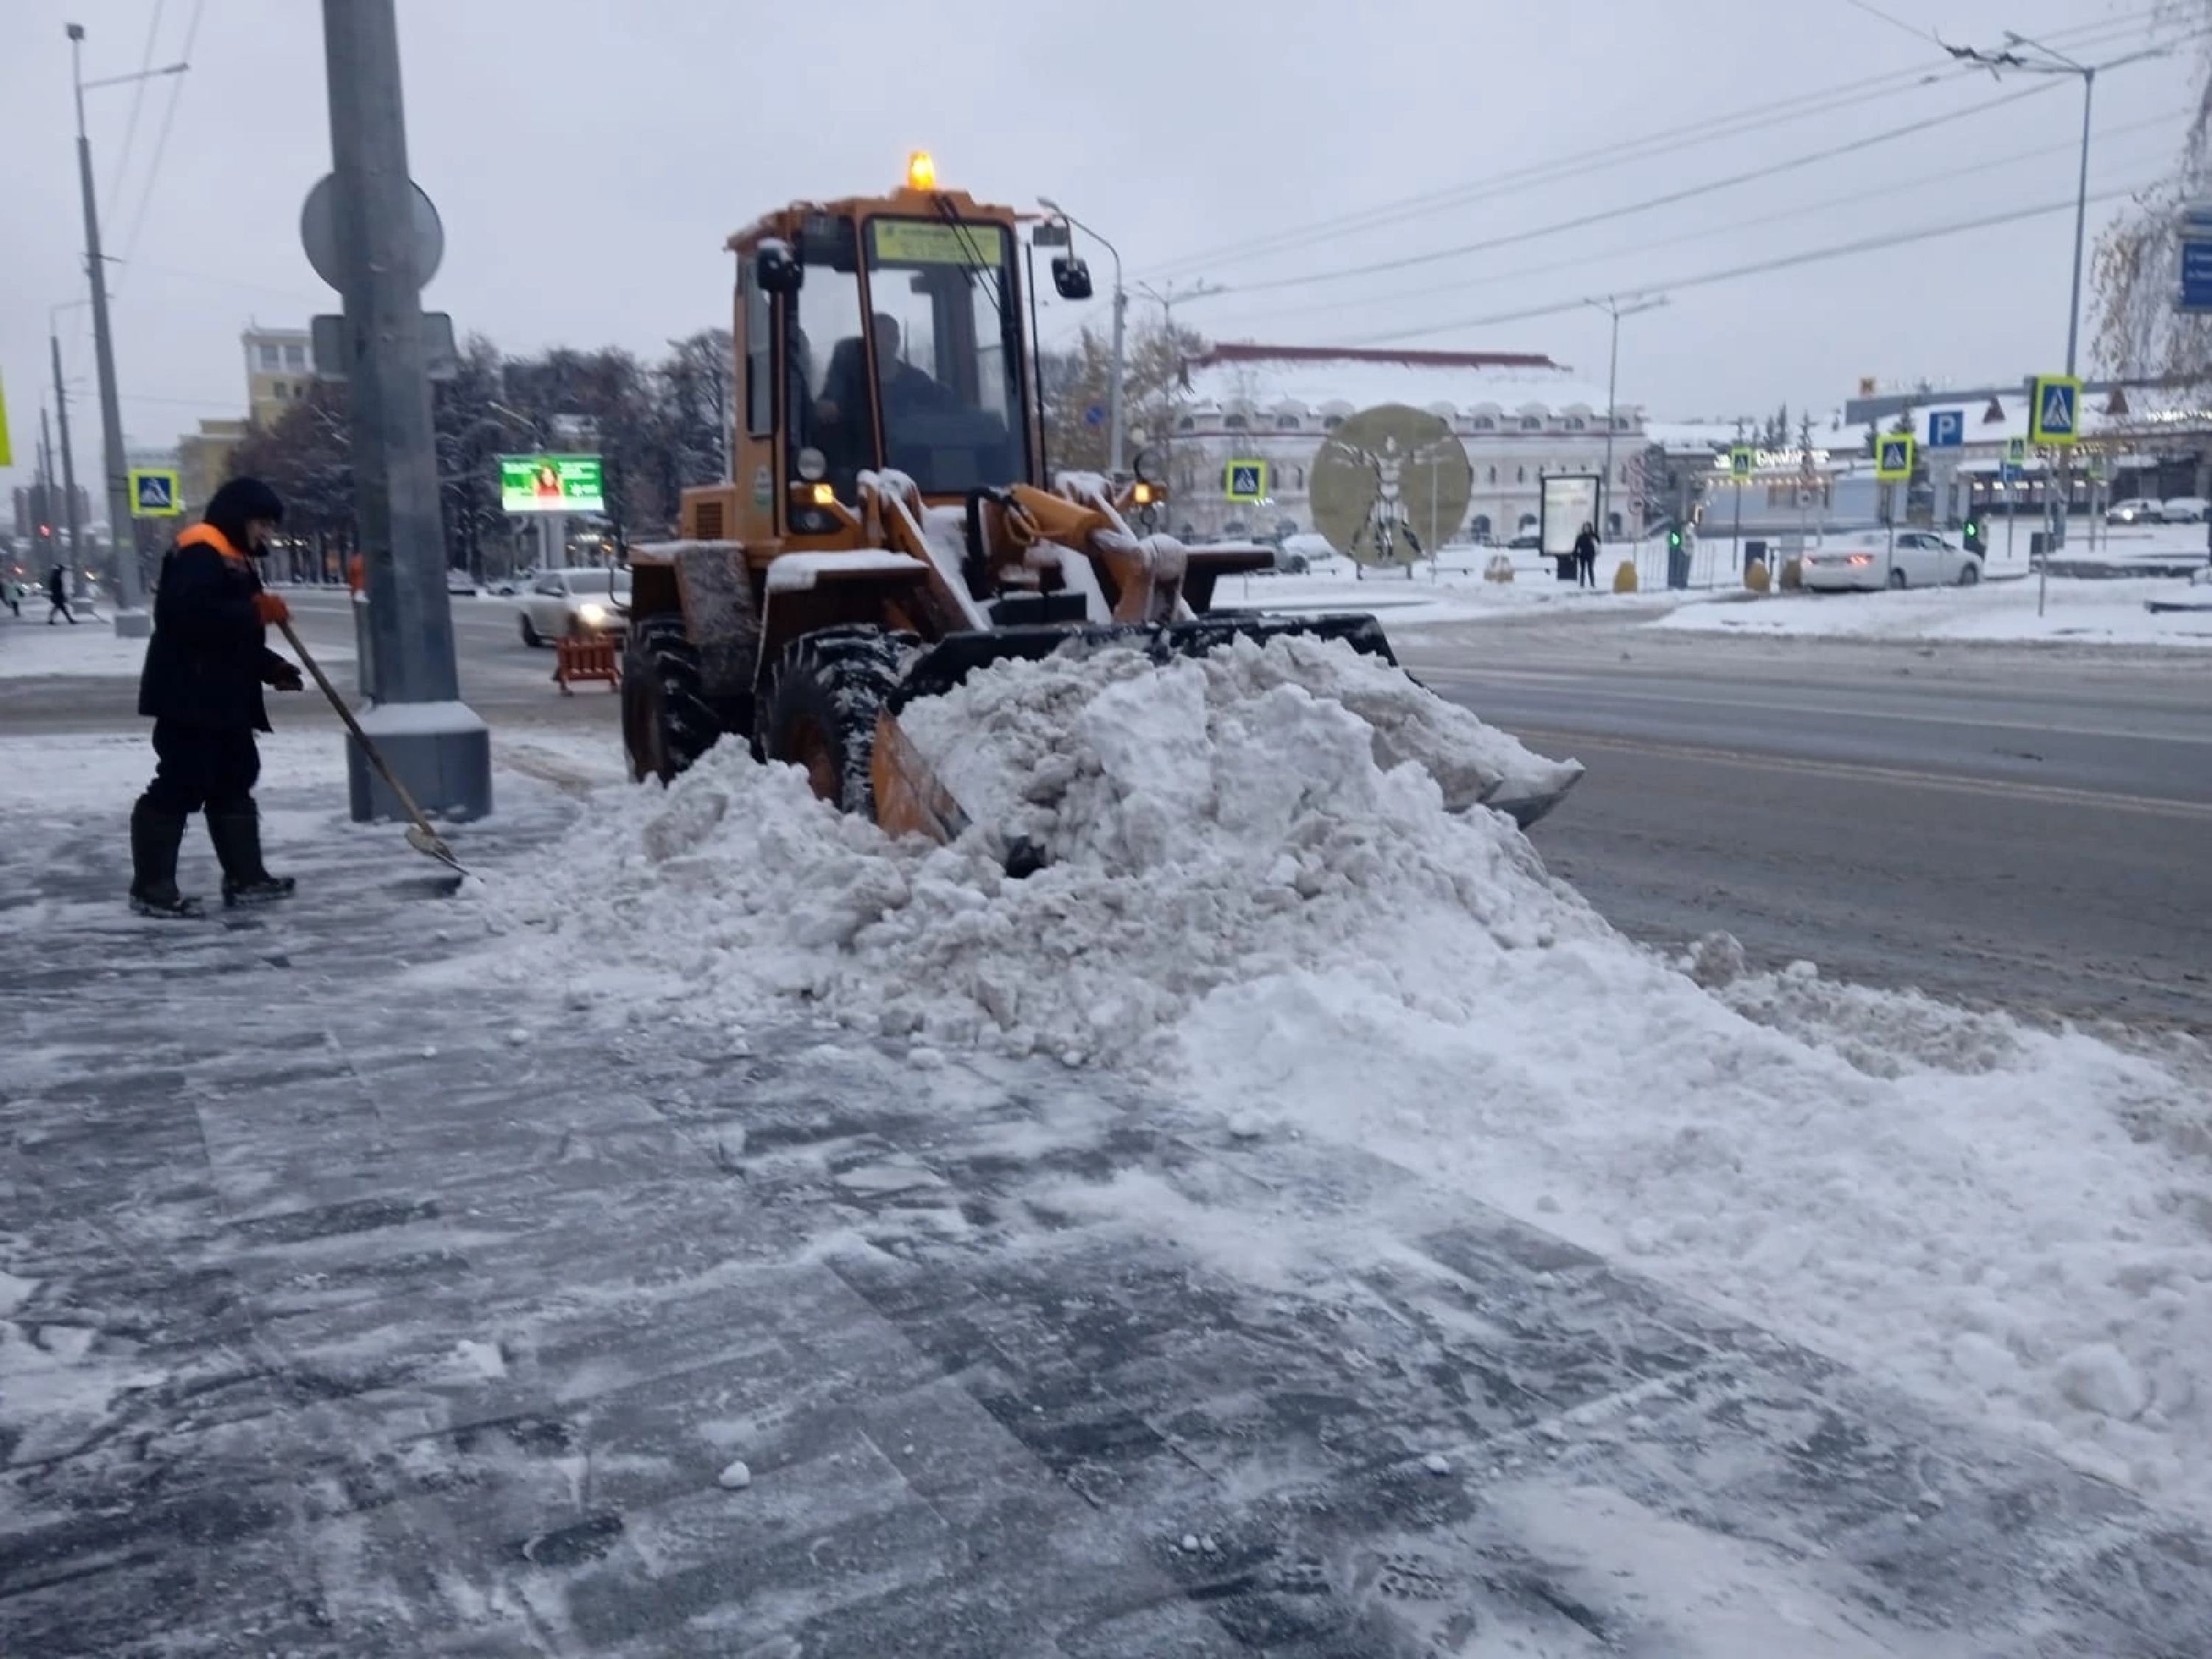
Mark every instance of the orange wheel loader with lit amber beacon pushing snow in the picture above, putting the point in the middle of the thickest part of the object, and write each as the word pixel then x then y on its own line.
pixel 888 523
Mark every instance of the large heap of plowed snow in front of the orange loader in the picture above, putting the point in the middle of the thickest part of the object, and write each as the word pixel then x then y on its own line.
pixel 1264 904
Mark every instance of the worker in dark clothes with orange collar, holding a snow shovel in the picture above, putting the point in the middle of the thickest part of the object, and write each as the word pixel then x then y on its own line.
pixel 202 689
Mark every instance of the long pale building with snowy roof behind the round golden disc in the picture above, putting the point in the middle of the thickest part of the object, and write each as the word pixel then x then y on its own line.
pixel 1519 417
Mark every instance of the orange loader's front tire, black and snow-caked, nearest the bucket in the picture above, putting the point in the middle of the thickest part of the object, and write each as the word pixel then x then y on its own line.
pixel 822 711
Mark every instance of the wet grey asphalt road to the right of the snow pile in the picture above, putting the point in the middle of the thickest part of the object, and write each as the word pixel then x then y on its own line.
pixel 2025 828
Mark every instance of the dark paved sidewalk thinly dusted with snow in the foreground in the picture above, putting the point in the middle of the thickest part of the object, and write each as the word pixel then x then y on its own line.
pixel 344 1319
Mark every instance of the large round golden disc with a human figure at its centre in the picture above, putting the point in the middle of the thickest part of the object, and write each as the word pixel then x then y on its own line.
pixel 1392 486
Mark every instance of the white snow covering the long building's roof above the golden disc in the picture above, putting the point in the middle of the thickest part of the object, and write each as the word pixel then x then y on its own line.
pixel 1322 377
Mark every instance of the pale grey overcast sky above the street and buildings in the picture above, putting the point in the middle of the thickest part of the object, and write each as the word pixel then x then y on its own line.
pixel 589 163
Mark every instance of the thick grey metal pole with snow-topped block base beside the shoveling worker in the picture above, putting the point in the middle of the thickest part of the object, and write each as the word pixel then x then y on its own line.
pixel 430 738
